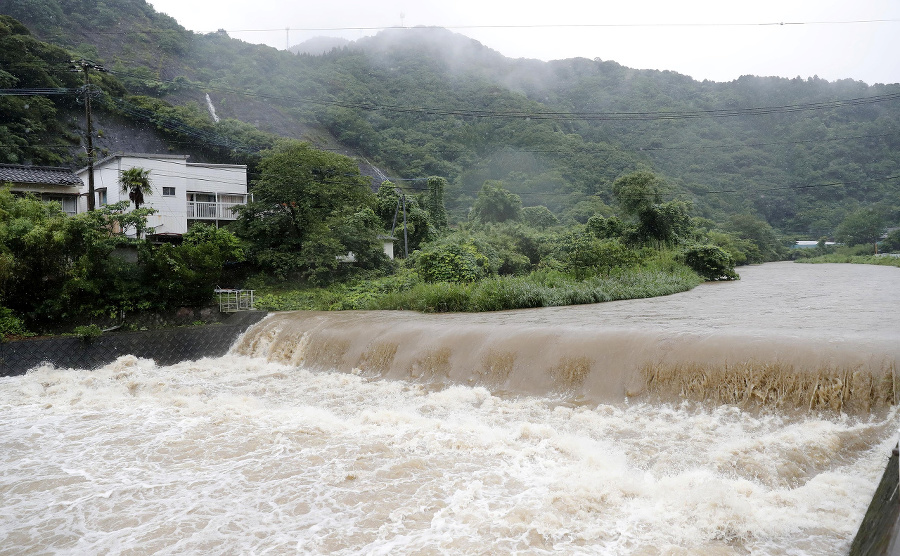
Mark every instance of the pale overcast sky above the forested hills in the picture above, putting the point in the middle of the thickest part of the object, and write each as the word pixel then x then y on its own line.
pixel 718 40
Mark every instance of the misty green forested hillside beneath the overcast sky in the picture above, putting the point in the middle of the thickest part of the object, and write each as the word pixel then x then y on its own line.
pixel 800 153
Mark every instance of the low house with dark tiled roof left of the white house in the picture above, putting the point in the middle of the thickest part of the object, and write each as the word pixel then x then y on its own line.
pixel 46 182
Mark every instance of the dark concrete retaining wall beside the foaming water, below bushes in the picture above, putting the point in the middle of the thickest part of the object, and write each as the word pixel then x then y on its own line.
pixel 166 346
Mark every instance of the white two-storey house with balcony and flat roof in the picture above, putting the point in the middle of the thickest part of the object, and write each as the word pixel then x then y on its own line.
pixel 182 192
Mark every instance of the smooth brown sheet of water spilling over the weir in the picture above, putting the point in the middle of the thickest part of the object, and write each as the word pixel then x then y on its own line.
pixel 580 359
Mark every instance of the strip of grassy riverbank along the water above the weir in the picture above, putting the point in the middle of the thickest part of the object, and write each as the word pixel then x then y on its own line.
pixel 545 288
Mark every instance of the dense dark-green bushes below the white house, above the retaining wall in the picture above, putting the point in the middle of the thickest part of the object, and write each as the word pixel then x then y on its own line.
pixel 55 267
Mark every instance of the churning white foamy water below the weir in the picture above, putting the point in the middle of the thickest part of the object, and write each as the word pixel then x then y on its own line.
pixel 241 455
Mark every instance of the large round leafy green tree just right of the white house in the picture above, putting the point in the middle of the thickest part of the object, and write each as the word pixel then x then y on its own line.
pixel 301 203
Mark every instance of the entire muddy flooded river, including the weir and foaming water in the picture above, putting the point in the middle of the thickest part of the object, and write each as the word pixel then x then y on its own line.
pixel 746 417
